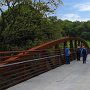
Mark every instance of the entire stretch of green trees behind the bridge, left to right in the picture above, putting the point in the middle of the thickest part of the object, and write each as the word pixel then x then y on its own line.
pixel 26 23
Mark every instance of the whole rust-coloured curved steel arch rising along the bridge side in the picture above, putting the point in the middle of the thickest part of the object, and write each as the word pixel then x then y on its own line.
pixel 44 46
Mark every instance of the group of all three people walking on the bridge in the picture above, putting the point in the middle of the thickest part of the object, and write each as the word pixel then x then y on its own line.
pixel 80 52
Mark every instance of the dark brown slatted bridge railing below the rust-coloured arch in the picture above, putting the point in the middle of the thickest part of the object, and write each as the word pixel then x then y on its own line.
pixel 31 65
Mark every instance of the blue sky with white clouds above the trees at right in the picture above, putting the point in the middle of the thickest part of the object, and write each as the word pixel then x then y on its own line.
pixel 74 10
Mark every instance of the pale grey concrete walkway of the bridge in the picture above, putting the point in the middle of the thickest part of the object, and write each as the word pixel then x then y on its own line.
pixel 75 76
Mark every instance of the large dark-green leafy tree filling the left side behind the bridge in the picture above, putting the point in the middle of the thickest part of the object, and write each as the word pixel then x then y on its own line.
pixel 24 24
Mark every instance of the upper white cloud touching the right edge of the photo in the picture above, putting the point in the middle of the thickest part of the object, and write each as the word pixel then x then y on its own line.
pixel 83 7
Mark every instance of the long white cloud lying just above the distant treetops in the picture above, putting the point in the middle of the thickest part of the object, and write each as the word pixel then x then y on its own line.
pixel 72 17
